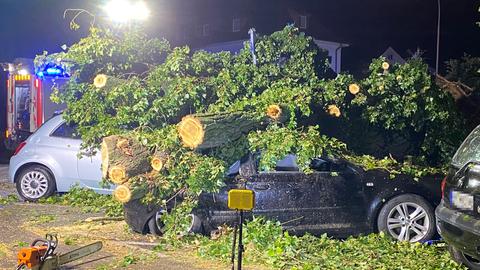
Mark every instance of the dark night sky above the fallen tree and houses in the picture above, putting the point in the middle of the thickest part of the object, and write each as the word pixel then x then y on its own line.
pixel 28 27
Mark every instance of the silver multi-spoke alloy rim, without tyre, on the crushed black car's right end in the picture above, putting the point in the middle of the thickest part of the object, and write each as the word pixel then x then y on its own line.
pixel 408 222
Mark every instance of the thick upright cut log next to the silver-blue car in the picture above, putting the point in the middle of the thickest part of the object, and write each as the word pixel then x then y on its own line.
pixel 123 157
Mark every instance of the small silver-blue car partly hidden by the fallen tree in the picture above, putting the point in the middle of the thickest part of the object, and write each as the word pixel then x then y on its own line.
pixel 49 161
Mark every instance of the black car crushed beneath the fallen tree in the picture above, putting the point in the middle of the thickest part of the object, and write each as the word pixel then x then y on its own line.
pixel 338 198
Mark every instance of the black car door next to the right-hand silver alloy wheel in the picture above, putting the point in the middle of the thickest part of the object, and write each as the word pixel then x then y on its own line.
pixel 333 200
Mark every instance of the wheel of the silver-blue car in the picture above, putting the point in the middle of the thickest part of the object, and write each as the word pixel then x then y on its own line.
pixel 35 182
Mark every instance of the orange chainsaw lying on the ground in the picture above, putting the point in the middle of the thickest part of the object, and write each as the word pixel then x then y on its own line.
pixel 40 255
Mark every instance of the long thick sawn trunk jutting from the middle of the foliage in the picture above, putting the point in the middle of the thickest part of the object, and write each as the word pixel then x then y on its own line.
pixel 203 131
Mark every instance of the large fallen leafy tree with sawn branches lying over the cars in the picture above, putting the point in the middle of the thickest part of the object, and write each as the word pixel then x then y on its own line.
pixel 184 120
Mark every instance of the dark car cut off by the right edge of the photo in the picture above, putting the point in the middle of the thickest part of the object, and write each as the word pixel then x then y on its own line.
pixel 458 215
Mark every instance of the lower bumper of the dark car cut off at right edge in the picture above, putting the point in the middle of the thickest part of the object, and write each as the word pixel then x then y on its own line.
pixel 459 230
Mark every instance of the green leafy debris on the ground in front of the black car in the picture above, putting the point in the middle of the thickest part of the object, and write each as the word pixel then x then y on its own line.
pixel 266 243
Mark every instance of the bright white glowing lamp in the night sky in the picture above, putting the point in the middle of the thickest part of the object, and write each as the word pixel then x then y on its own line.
pixel 123 11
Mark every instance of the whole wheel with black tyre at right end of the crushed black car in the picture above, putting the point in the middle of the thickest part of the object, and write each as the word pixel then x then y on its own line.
pixel 407 217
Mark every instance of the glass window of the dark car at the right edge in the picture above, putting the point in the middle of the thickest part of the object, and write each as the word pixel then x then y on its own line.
pixel 469 150
